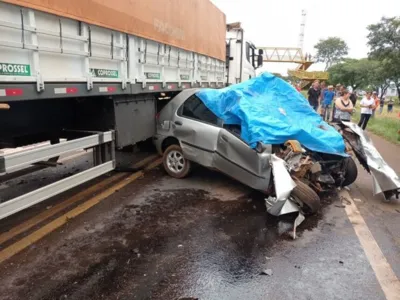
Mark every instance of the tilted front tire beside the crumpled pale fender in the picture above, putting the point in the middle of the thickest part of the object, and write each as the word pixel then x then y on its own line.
pixel 306 197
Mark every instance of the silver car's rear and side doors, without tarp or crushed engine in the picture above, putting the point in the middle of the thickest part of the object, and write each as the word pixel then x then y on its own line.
pixel 187 131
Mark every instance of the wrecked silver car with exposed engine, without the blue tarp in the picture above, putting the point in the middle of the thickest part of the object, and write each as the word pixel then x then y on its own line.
pixel 188 132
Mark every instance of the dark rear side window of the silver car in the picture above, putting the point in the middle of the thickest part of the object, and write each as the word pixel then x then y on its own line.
pixel 194 108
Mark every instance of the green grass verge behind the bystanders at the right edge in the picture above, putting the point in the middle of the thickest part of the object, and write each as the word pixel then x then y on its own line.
pixel 385 125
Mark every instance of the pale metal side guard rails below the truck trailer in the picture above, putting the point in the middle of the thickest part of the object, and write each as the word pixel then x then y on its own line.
pixel 103 157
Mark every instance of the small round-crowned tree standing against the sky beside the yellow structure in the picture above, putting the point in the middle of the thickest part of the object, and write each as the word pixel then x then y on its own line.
pixel 331 51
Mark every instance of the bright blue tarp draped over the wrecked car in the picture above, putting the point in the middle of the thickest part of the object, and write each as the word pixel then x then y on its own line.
pixel 271 111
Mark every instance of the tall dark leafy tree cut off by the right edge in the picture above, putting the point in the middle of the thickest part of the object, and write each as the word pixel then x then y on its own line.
pixel 384 42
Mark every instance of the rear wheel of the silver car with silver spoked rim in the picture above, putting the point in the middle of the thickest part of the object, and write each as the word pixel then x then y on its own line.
pixel 175 164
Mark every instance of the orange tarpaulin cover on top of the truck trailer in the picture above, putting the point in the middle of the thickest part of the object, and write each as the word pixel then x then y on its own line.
pixel 193 25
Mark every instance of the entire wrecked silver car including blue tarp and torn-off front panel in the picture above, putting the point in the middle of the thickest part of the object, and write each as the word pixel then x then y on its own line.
pixel 263 133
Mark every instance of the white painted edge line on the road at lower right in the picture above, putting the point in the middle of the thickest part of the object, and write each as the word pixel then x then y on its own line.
pixel 387 279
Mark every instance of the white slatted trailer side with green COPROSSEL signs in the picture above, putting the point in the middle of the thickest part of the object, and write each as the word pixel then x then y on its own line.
pixel 42 48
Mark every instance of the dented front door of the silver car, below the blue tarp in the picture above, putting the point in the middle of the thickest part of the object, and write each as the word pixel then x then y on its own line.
pixel 235 158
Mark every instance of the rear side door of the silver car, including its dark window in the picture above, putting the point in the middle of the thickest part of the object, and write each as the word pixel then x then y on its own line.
pixel 197 129
